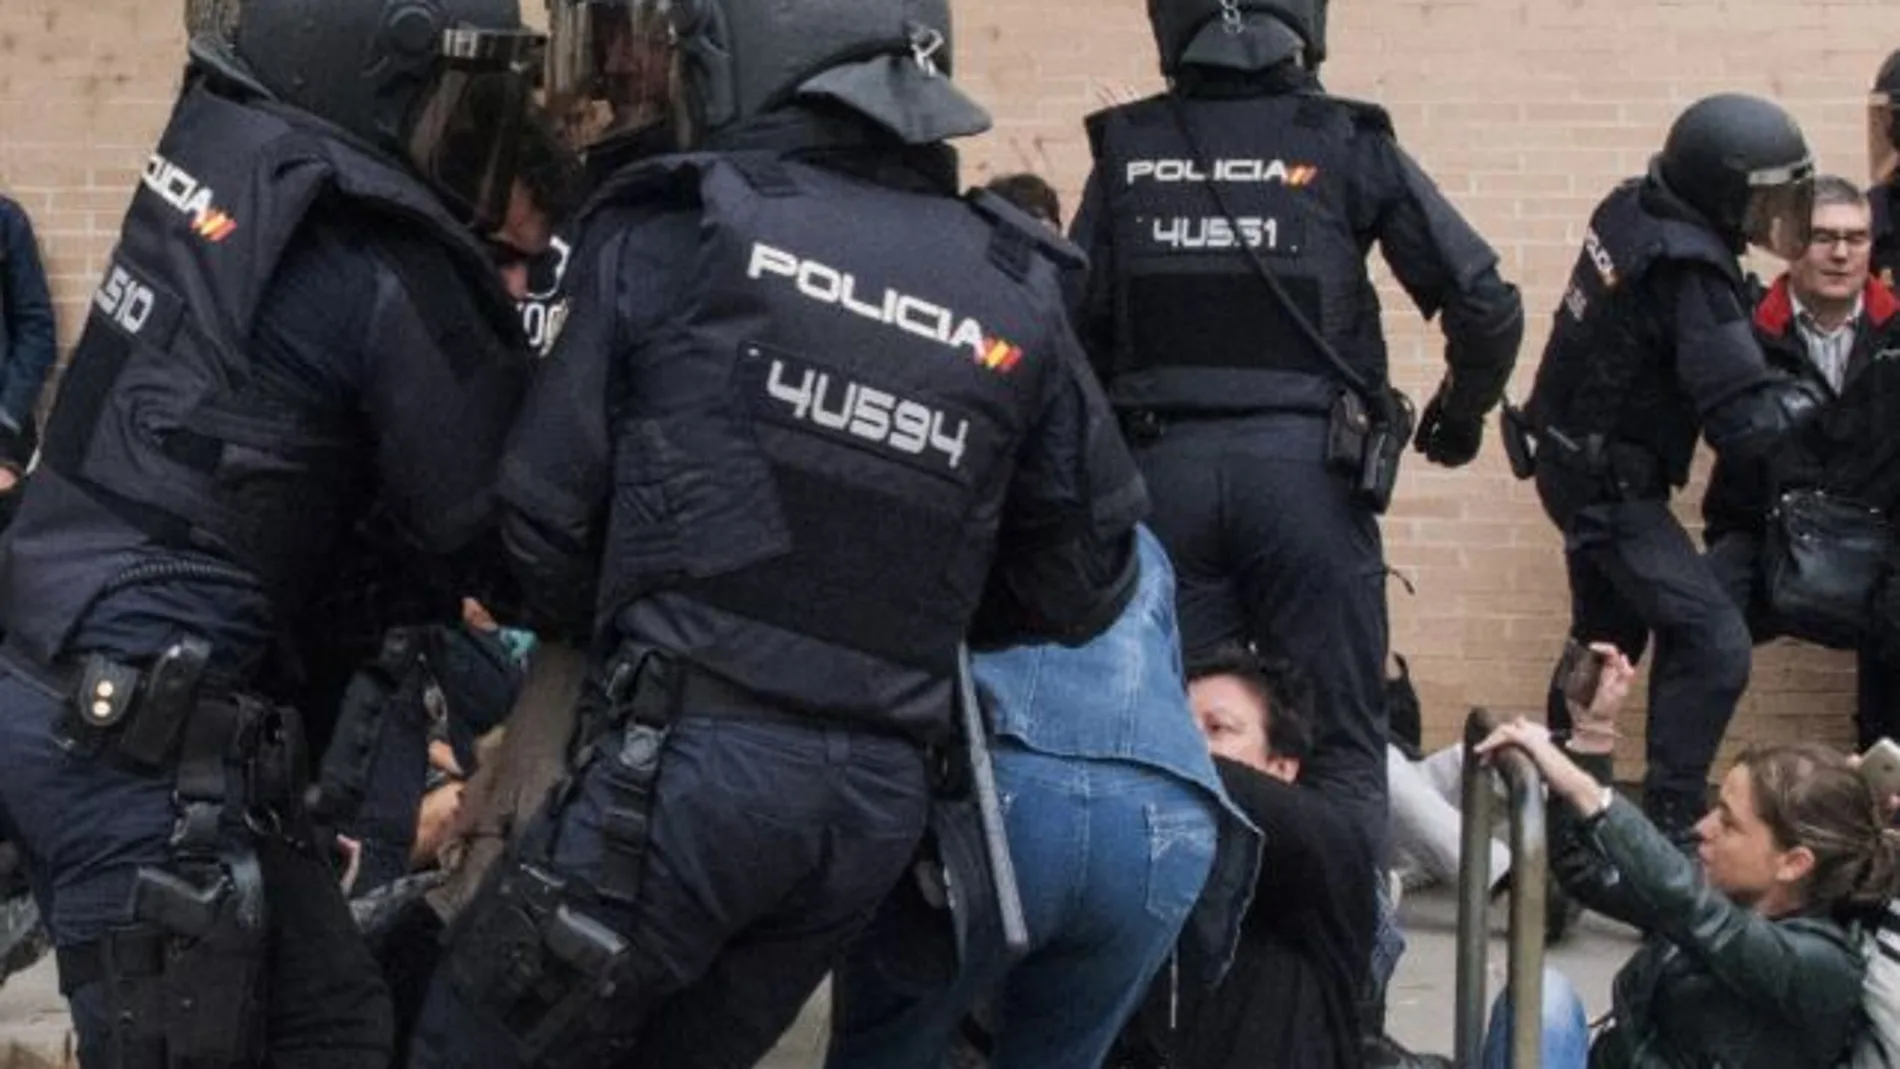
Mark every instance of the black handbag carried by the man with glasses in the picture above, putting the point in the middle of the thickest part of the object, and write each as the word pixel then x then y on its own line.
pixel 1821 565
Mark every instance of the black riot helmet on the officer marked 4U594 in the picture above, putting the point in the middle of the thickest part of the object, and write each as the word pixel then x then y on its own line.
pixel 729 62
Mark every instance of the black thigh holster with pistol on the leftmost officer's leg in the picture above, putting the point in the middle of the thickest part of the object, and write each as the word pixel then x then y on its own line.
pixel 185 983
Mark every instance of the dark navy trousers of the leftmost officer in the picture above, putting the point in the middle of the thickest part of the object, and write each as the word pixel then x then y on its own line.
pixel 85 829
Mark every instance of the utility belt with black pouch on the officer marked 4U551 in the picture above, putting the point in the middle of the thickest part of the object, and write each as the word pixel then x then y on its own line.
pixel 1365 441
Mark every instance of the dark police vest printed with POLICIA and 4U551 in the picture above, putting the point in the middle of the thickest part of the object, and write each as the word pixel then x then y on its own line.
pixel 1196 326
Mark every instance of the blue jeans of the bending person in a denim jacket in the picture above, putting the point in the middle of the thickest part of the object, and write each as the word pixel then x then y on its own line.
pixel 1111 857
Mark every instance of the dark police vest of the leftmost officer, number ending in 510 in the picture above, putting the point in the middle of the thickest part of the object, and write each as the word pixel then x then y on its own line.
pixel 159 440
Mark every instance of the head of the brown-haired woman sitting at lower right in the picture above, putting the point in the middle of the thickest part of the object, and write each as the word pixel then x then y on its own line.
pixel 1798 831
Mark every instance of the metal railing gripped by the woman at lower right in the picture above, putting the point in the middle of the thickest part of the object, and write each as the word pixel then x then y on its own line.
pixel 1529 886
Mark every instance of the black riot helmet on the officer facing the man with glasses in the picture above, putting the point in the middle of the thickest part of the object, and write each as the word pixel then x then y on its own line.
pixel 1743 164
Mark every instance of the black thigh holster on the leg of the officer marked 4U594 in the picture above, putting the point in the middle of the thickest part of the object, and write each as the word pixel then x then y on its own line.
pixel 529 958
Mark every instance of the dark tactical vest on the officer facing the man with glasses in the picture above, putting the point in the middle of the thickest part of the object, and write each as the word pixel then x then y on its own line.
pixel 1608 371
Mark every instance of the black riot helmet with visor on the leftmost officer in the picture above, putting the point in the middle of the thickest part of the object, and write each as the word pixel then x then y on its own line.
pixel 440 84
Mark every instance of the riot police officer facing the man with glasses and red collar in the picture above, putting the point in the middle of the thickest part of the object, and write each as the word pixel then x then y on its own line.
pixel 1652 348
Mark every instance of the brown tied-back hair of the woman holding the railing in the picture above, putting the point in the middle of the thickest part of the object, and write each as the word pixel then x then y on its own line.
pixel 1810 797
